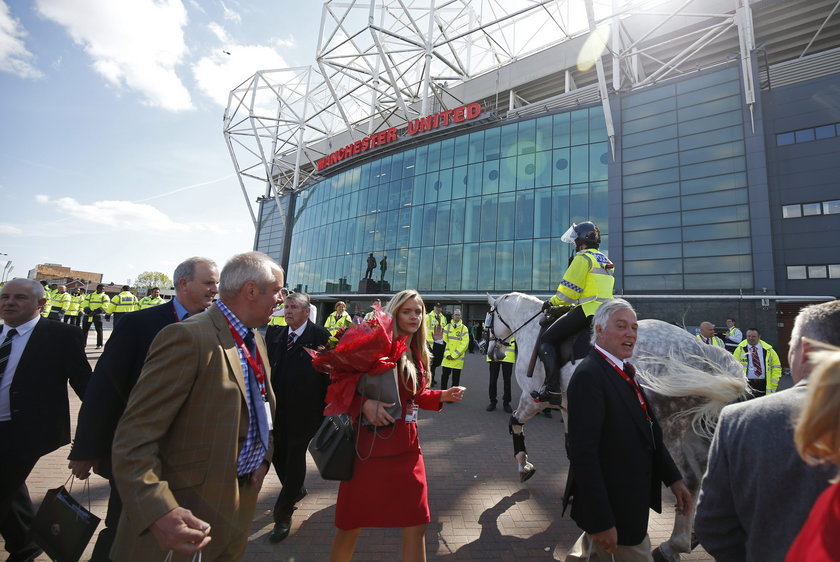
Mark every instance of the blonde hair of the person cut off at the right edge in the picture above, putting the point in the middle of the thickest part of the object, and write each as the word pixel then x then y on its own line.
pixel 818 428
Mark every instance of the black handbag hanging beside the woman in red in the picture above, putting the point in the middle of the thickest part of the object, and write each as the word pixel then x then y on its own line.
pixel 333 448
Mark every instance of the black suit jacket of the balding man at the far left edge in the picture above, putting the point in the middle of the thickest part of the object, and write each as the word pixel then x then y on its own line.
pixel 40 408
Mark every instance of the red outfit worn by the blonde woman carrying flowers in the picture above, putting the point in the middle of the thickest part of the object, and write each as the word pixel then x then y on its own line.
pixel 388 489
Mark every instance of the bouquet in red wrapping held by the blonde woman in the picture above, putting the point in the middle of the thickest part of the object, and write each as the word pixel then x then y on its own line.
pixel 368 348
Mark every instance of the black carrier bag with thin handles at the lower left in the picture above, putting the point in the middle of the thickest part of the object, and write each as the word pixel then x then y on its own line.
pixel 62 526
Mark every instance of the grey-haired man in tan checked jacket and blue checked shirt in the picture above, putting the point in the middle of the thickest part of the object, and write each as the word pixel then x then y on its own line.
pixel 194 444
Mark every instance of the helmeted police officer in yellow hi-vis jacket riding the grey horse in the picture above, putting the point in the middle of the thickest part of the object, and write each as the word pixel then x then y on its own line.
pixel 587 283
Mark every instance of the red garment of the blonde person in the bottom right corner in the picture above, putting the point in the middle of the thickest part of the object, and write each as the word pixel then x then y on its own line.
pixel 819 539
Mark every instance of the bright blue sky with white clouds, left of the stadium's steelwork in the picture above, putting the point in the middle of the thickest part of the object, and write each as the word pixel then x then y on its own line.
pixel 112 157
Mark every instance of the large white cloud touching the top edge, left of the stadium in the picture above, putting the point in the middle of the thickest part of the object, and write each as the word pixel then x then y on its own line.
pixel 136 44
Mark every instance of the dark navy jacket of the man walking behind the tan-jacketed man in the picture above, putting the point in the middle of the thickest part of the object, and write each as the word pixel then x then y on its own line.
pixel 115 375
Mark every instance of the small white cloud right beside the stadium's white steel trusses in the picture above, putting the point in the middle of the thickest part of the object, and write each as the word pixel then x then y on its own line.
pixel 218 73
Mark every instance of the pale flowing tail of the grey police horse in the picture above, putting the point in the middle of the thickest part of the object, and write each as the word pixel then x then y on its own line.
pixel 688 375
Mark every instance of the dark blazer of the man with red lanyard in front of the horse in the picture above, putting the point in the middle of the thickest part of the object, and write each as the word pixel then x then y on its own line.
pixel 617 457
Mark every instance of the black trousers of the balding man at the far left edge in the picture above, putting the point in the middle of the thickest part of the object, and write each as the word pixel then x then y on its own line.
pixel 16 509
